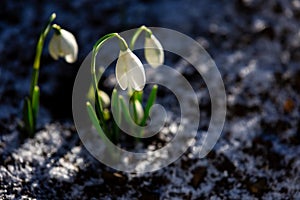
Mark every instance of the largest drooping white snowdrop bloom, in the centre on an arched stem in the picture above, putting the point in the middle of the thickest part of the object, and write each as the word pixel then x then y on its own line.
pixel 130 71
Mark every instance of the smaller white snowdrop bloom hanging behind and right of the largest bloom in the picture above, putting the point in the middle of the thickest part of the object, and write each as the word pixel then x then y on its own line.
pixel 154 52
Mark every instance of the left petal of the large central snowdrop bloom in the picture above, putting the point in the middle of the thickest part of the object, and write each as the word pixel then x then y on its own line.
pixel 121 71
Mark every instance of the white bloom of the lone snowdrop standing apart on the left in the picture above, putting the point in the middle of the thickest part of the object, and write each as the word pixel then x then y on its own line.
pixel 63 44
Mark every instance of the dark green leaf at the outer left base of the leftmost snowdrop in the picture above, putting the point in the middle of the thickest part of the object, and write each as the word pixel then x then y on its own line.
pixel 28 117
